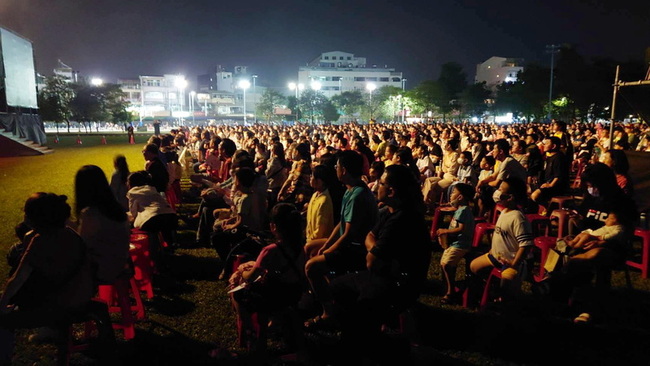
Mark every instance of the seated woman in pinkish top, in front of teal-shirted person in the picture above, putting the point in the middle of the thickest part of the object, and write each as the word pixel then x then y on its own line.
pixel 278 274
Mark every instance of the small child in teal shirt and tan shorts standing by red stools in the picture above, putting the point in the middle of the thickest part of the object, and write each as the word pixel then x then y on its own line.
pixel 461 231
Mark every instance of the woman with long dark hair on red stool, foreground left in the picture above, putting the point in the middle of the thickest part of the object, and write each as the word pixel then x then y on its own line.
pixel 103 224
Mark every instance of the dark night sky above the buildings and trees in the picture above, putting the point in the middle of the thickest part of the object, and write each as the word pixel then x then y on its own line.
pixel 118 38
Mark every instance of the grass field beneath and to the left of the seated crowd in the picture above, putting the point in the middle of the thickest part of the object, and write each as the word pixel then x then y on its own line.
pixel 191 313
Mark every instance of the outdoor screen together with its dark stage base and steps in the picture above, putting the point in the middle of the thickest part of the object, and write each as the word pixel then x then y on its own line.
pixel 18 103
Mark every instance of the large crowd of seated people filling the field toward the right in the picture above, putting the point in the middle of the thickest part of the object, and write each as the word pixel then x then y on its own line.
pixel 363 192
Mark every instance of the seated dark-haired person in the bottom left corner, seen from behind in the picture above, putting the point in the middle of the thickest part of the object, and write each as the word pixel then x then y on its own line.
pixel 54 278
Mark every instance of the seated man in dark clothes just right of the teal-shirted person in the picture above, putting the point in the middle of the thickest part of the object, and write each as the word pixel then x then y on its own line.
pixel 397 261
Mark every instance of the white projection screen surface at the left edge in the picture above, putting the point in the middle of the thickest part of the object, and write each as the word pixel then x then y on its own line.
pixel 19 73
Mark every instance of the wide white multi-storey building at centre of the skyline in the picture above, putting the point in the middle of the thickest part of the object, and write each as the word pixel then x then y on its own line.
pixel 336 72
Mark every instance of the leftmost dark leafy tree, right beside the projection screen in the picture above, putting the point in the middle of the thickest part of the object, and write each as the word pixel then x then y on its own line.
pixel 55 99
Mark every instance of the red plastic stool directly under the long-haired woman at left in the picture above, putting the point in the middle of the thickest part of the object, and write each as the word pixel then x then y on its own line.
pixel 118 297
